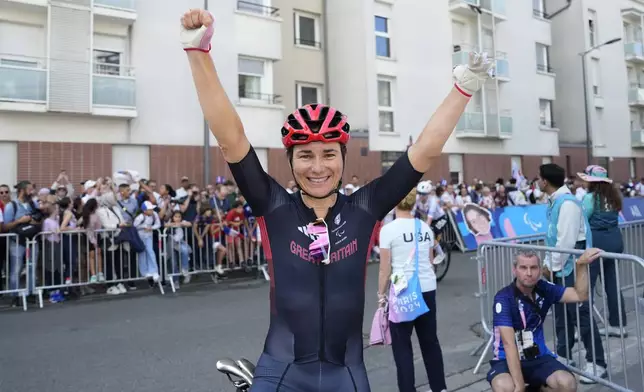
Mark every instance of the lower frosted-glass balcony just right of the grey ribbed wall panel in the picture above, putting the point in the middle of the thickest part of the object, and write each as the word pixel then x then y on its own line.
pixel 113 91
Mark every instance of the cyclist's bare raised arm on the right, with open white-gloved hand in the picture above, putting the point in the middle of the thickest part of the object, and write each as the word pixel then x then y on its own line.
pixel 468 79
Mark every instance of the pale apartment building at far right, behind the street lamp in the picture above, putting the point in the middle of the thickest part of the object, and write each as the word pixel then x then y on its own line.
pixel 613 82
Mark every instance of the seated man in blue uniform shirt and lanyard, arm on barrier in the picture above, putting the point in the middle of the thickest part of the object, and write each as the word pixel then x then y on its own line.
pixel 520 352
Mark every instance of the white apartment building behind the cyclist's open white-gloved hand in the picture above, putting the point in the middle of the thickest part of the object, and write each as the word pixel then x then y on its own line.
pixel 402 57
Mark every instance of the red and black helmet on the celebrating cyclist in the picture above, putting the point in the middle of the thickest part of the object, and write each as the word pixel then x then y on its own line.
pixel 315 123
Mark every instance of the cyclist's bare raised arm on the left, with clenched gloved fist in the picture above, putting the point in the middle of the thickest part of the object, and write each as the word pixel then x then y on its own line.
pixel 196 31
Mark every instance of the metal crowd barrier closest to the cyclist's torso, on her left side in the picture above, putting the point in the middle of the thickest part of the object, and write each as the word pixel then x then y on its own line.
pixel 185 255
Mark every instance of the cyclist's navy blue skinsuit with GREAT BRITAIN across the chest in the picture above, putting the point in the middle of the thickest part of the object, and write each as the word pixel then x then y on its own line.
pixel 314 341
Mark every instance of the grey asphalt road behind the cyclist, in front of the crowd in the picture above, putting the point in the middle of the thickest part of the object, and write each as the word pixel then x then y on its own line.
pixel 148 342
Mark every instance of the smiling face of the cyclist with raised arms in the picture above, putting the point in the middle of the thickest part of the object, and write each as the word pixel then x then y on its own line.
pixel 317 167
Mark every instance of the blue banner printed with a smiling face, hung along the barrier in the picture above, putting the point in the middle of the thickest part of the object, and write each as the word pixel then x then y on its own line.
pixel 477 224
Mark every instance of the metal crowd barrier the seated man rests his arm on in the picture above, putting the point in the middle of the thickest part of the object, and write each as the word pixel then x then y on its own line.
pixel 495 262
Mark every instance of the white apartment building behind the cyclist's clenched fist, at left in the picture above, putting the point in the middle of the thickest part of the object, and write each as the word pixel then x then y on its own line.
pixel 96 86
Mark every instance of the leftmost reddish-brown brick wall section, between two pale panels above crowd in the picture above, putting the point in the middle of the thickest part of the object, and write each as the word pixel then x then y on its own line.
pixel 41 162
